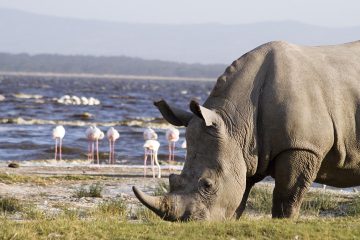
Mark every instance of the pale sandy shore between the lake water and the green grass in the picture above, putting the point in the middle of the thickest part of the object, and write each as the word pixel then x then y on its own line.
pixel 117 182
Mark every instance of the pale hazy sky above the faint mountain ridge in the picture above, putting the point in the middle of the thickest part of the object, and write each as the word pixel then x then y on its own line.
pixel 332 13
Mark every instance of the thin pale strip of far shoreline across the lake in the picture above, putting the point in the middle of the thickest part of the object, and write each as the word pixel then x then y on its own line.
pixel 103 76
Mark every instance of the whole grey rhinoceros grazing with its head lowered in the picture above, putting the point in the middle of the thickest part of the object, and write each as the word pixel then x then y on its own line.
pixel 288 111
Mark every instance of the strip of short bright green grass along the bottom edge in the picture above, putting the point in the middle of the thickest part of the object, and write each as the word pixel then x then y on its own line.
pixel 106 228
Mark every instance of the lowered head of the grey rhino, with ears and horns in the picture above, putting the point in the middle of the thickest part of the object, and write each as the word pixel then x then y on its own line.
pixel 212 182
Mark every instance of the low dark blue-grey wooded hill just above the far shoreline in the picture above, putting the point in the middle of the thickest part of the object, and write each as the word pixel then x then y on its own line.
pixel 105 65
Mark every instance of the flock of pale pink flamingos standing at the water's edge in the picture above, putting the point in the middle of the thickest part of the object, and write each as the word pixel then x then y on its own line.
pixel 151 145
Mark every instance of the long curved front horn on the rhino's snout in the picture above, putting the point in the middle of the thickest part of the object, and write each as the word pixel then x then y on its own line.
pixel 156 204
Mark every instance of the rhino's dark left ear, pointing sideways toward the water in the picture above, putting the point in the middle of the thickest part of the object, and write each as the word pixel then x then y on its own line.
pixel 173 115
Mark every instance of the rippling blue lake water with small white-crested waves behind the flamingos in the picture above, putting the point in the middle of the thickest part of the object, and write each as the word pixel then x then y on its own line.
pixel 29 111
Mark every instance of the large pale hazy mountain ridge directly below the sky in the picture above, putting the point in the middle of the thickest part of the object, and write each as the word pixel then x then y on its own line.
pixel 23 32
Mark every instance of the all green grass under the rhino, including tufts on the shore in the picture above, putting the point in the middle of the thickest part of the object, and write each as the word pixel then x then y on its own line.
pixel 115 219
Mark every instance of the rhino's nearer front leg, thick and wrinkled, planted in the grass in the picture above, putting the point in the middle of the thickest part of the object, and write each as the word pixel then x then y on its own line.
pixel 294 172
